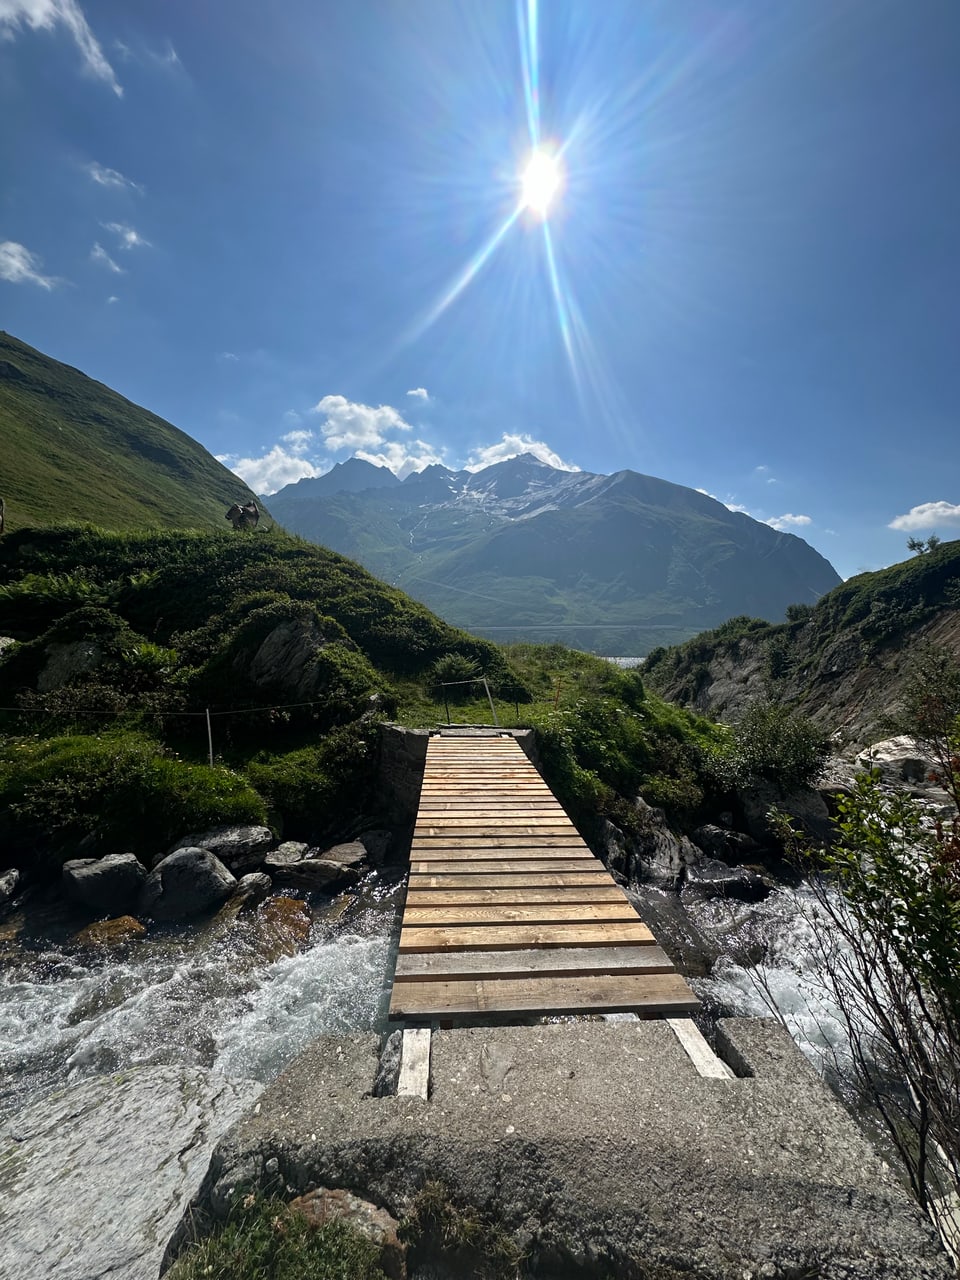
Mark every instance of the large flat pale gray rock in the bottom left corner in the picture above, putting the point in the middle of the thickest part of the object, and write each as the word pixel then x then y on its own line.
pixel 97 1177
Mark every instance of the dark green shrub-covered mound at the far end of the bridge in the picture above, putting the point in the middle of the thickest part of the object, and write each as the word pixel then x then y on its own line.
pixel 124 641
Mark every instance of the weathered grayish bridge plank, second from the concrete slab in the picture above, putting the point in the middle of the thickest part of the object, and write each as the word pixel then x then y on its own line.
pixel 432 967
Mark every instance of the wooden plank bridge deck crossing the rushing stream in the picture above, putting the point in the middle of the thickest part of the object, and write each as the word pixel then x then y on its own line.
pixel 508 911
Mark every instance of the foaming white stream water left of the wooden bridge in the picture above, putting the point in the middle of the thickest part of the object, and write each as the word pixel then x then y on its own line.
pixel 234 996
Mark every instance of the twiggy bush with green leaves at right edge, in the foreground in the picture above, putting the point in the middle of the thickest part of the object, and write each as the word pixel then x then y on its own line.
pixel 888 930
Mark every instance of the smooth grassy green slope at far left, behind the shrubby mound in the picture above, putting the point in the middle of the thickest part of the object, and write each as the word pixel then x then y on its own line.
pixel 76 451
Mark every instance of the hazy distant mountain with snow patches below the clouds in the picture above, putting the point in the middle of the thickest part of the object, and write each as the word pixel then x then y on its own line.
pixel 523 551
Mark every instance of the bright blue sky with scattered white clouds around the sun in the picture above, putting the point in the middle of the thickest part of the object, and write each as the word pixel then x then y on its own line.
pixel 294 230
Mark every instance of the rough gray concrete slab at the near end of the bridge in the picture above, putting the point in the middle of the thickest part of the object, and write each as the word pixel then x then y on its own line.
pixel 602 1150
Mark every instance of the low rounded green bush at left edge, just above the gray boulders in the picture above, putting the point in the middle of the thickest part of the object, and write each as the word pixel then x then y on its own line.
pixel 121 789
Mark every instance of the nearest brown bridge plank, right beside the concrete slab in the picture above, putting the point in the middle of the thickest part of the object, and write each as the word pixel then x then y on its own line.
pixel 657 994
